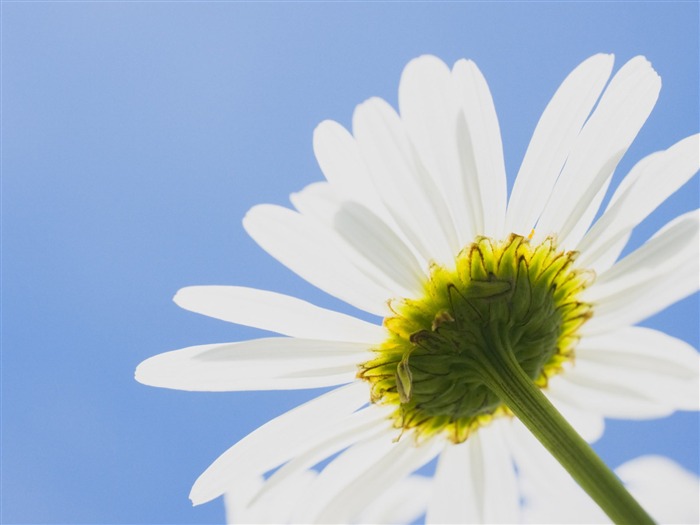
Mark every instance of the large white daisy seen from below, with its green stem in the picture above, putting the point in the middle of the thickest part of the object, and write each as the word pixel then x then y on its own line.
pixel 491 306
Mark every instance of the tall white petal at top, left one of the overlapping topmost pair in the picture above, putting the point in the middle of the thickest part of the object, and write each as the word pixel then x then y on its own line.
pixel 430 110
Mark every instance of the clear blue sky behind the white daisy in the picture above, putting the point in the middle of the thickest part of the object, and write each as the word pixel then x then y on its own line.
pixel 135 136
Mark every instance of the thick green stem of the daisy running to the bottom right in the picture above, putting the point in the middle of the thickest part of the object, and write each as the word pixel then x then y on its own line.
pixel 504 376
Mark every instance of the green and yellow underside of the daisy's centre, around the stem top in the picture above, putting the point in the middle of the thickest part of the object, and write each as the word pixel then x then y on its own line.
pixel 503 296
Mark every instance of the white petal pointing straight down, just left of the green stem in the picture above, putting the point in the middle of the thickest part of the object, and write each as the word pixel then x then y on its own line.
pixel 475 481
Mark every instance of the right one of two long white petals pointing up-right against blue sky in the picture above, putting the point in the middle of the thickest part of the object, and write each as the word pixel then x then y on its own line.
pixel 621 112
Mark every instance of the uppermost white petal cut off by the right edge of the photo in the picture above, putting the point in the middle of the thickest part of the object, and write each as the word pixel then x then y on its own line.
pixel 651 181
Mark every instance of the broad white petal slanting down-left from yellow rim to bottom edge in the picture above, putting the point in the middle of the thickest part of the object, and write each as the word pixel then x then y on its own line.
pixel 359 475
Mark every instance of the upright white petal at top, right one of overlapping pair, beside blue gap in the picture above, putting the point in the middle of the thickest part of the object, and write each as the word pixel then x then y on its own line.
pixel 481 137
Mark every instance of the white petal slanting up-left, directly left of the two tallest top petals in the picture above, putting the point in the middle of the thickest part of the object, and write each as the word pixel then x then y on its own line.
pixel 407 190
